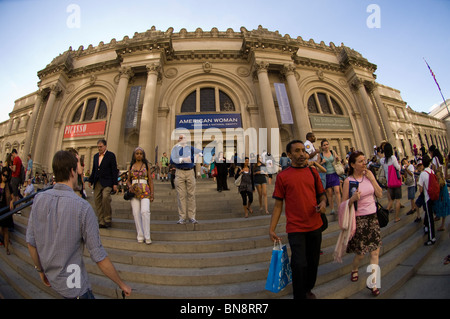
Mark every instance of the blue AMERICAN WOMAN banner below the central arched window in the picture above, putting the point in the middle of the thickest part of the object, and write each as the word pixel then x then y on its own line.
pixel 220 121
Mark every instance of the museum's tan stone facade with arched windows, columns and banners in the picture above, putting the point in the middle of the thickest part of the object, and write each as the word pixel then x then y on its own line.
pixel 140 90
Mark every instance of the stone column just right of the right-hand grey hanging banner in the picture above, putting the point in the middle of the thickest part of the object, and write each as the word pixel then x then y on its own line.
pixel 300 115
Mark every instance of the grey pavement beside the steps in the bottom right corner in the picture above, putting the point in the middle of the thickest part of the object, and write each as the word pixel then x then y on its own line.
pixel 432 280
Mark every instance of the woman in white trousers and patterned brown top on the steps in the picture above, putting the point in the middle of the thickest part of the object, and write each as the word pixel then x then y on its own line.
pixel 141 184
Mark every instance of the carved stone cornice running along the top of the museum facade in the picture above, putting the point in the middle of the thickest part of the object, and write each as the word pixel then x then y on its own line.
pixel 257 40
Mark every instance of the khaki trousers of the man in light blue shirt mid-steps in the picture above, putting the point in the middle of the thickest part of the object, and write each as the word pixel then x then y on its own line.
pixel 185 186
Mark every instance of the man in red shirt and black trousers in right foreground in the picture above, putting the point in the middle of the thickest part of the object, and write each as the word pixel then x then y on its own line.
pixel 300 186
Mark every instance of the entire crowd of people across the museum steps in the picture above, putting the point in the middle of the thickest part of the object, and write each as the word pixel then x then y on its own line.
pixel 347 187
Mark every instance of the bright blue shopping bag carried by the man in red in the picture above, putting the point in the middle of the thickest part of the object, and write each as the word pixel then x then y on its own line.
pixel 280 273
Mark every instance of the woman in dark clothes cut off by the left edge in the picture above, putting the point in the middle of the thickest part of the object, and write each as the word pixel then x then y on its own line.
pixel 6 200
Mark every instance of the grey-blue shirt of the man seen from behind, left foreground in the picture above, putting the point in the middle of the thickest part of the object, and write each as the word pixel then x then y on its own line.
pixel 61 224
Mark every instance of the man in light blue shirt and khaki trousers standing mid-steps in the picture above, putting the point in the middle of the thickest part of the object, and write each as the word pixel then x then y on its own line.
pixel 182 156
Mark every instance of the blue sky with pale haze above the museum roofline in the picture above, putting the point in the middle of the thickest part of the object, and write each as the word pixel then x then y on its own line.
pixel 396 35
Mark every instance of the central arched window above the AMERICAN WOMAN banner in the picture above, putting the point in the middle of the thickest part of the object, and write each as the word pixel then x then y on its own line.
pixel 209 100
